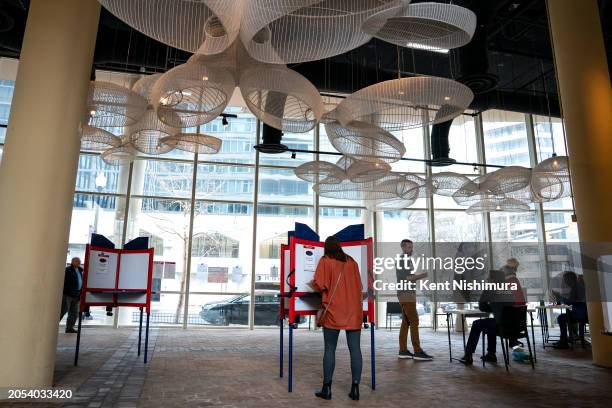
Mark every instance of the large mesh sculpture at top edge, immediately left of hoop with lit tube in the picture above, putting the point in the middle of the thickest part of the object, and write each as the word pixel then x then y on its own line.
pixel 293 31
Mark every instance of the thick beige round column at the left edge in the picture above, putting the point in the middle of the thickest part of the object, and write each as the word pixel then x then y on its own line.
pixel 37 181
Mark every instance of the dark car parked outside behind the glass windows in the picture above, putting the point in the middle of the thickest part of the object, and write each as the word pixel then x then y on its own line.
pixel 235 310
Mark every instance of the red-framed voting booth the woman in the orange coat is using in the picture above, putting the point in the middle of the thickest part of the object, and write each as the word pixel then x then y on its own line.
pixel 299 260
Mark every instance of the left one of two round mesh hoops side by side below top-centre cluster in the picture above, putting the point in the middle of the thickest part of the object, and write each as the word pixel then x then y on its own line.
pixel 194 93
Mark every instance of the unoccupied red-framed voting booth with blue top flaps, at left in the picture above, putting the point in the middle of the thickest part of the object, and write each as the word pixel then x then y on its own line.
pixel 117 278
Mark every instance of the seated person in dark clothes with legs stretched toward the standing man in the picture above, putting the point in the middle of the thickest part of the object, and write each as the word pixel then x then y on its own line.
pixel 490 302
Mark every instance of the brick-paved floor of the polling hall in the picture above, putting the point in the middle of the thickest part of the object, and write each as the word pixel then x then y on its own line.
pixel 239 368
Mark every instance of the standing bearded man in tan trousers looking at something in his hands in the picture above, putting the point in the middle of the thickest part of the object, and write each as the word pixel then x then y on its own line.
pixel 407 299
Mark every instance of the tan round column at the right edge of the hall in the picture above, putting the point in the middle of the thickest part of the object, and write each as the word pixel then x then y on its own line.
pixel 586 98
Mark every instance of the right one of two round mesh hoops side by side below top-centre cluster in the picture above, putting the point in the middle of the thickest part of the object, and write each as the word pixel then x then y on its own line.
pixel 281 98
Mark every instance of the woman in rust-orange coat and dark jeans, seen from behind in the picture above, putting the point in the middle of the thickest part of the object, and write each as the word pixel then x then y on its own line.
pixel 337 278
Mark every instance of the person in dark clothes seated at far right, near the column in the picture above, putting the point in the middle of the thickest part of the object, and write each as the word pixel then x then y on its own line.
pixel 574 297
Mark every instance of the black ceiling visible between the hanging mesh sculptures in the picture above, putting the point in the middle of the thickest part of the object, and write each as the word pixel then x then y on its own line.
pixel 508 64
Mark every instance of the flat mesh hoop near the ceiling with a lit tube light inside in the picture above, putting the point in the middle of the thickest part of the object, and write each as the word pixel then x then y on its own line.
pixel 428 26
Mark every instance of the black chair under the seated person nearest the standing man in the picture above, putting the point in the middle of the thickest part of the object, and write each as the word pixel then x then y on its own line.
pixel 513 325
